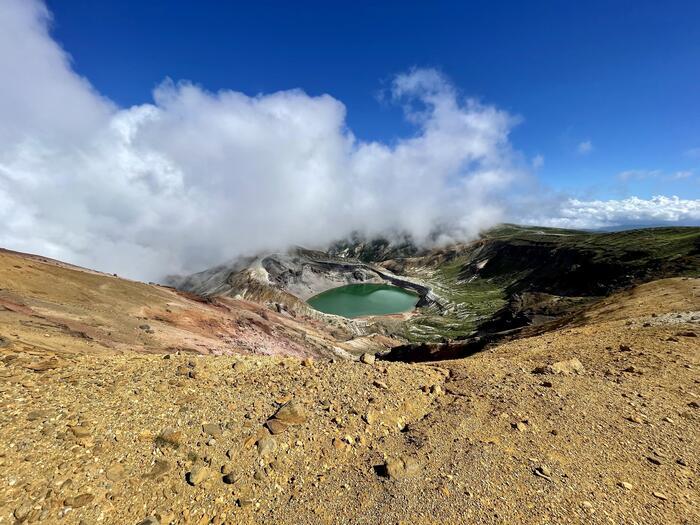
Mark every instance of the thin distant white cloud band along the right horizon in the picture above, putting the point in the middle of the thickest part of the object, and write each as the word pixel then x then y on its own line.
pixel 594 214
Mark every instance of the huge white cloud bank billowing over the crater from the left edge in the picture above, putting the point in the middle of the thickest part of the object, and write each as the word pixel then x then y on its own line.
pixel 195 178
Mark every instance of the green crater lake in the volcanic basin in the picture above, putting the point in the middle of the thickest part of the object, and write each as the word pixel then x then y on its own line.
pixel 357 300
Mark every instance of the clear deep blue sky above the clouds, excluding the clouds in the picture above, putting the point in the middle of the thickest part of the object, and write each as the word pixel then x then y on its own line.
pixel 620 76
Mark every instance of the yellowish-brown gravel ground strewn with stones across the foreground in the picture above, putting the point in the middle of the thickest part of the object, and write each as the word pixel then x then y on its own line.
pixel 596 422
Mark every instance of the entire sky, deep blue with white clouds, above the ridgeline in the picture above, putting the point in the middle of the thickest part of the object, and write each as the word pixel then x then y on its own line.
pixel 155 137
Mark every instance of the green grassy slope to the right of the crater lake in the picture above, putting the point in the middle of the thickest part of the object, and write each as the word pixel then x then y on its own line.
pixel 642 254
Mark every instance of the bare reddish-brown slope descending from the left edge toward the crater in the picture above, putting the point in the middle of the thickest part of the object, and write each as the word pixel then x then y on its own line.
pixel 48 306
